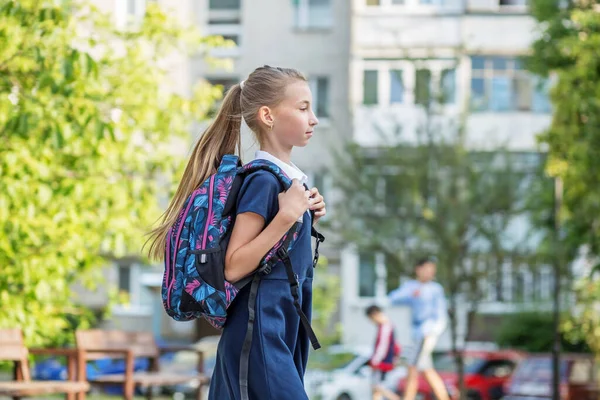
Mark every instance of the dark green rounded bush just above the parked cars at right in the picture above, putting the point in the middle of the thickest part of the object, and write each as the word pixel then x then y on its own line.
pixel 534 332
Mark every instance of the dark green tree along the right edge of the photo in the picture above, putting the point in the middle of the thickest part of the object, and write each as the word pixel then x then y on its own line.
pixel 567 51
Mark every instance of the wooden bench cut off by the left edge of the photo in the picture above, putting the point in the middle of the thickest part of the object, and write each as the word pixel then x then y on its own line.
pixel 12 348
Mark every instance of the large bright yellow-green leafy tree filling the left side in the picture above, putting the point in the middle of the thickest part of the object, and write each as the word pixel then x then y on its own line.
pixel 88 125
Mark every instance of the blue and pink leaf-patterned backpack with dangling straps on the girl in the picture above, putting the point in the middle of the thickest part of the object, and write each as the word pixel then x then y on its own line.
pixel 194 284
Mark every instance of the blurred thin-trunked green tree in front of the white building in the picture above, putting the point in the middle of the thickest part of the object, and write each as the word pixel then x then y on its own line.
pixel 433 196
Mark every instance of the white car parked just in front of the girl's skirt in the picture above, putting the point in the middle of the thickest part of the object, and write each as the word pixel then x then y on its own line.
pixel 341 373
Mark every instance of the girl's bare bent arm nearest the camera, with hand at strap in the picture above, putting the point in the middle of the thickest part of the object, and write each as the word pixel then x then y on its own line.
pixel 250 240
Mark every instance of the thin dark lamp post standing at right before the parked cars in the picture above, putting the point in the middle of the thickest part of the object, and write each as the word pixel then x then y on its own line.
pixel 556 348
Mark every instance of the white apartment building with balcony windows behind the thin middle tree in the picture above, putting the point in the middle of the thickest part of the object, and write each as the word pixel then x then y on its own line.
pixel 466 52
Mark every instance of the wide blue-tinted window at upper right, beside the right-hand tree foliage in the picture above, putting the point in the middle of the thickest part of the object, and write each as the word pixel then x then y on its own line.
pixel 500 84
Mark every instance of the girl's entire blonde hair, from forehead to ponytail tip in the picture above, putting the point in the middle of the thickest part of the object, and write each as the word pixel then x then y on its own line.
pixel 265 86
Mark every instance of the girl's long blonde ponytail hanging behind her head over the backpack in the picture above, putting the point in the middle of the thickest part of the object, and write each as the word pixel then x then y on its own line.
pixel 220 138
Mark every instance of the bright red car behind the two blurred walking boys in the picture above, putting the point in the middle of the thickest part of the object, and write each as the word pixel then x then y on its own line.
pixel 486 373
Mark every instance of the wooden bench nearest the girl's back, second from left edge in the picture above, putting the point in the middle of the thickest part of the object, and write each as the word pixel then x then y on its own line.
pixel 96 344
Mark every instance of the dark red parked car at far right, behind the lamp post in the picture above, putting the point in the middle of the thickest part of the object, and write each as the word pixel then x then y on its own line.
pixel 532 380
